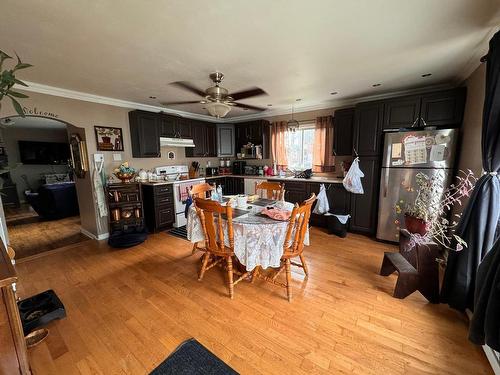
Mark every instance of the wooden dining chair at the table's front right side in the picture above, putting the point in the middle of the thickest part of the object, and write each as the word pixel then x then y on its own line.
pixel 292 247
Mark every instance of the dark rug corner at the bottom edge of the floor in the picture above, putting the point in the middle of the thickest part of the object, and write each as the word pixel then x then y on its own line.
pixel 192 358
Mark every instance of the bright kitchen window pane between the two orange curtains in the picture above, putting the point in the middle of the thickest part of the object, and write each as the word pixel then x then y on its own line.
pixel 299 147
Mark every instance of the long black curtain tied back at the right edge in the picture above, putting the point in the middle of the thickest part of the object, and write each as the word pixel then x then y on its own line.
pixel 472 277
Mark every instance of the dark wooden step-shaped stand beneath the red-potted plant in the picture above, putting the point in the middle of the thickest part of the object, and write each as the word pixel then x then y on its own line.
pixel 416 266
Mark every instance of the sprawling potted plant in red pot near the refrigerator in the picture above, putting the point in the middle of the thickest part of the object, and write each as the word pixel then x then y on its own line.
pixel 425 217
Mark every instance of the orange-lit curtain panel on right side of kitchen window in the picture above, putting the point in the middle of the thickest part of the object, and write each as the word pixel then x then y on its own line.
pixel 323 159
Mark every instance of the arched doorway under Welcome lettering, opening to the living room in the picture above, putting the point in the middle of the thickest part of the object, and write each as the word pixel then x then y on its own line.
pixel 37 186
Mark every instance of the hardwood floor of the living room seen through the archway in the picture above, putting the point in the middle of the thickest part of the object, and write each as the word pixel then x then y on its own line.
pixel 30 235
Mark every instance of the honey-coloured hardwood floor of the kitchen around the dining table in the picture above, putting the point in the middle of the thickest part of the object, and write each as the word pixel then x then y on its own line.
pixel 129 309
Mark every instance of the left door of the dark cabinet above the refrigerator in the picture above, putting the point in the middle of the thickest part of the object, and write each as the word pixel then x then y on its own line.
pixel 402 112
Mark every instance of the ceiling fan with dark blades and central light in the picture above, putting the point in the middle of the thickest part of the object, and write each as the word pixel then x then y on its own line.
pixel 217 99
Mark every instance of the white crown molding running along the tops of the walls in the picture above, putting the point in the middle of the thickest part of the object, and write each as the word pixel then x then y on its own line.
pixel 335 104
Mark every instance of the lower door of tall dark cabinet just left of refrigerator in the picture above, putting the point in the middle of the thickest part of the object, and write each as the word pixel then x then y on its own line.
pixel 364 206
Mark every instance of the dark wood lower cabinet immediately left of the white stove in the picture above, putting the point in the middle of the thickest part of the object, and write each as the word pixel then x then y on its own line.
pixel 158 206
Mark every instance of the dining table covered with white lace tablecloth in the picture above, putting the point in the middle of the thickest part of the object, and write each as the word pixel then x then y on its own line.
pixel 258 239
